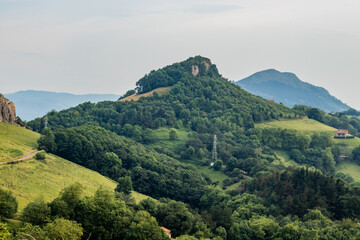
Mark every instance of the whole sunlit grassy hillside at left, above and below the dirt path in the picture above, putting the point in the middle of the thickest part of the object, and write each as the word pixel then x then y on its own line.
pixel 33 179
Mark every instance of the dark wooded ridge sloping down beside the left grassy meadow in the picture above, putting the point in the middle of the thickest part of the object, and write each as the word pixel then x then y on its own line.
pixel 152 173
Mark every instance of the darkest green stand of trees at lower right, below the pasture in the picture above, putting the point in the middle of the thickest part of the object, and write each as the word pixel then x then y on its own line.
pixel 297 190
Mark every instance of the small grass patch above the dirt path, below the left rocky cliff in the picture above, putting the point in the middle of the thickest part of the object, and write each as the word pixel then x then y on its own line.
pixel 16 141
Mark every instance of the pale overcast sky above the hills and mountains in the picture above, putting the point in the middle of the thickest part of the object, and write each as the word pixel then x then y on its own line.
pixel 88 46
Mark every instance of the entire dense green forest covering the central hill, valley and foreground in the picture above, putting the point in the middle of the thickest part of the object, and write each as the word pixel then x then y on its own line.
pixel 117 139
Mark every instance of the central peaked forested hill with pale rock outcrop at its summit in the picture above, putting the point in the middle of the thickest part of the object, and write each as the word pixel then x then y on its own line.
pixel 200 99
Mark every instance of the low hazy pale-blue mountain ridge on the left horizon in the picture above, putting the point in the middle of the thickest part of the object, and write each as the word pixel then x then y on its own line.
pixel 31 104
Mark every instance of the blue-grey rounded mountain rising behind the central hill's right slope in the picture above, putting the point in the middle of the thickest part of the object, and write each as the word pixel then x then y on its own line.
pixel 287 88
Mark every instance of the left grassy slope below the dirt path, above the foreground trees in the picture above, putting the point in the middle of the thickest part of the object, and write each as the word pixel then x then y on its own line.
pixel 33 179
